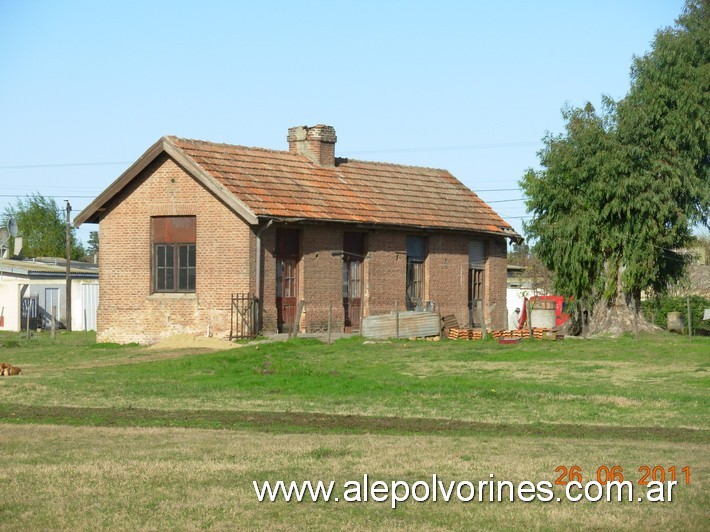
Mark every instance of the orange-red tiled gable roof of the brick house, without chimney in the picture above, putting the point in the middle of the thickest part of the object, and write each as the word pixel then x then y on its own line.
pixel 261 184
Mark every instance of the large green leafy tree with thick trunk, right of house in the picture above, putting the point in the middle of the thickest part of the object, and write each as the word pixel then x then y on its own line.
pixel 621 190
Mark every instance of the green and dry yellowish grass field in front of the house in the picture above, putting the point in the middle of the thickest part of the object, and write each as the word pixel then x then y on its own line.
pixel 104 436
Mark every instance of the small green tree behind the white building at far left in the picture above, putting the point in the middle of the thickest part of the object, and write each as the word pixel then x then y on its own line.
pixel 43 227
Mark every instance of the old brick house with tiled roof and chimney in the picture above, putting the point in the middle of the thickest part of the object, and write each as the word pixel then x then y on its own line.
pixel 190 223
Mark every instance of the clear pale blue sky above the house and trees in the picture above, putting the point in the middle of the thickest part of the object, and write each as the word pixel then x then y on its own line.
pixel 468 86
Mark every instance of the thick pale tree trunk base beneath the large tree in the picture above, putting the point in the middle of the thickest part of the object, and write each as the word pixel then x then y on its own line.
pixel 619 316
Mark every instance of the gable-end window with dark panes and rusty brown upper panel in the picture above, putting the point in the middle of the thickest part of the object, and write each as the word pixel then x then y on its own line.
pixel 174 253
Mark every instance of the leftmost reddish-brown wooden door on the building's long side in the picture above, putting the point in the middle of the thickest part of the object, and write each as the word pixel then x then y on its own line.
pixel 287 257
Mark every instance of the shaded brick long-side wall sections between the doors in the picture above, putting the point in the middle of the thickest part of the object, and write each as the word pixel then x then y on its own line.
pixel 384 275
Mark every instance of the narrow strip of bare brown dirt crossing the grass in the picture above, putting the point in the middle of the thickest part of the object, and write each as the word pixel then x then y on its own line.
pixel 305 422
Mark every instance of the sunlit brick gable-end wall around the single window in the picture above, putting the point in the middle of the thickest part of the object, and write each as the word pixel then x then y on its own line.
pixel 128 312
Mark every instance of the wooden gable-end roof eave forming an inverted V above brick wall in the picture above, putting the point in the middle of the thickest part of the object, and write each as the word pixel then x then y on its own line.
pixel 91 213
